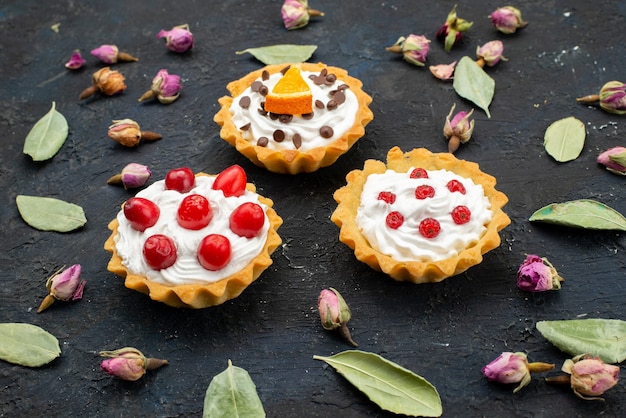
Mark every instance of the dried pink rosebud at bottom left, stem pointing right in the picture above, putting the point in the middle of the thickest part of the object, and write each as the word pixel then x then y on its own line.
pixel 128 363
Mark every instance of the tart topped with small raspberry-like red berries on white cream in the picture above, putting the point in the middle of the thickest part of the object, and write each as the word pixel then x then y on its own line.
pixel 421 217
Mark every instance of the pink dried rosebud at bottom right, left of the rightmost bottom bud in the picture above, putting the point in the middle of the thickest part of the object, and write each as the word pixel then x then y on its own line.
pixel 513 368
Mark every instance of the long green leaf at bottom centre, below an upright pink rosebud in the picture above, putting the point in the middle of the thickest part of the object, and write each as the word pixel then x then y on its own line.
pixel 387 384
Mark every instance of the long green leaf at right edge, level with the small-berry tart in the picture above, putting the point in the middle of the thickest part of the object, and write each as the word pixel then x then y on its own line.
pixel 583 213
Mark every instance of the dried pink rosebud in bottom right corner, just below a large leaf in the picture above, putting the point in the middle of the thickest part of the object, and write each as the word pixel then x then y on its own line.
pixel 589 377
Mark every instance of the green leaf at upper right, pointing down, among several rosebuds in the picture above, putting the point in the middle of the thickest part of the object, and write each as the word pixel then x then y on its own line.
pixel 472 83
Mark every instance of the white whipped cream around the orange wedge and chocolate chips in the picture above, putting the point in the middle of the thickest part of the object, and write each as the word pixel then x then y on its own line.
pixel 340 119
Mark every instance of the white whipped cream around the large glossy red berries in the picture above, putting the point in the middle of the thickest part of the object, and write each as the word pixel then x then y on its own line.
pixel 187 269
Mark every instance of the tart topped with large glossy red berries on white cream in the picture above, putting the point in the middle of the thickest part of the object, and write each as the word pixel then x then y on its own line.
pixel 194 240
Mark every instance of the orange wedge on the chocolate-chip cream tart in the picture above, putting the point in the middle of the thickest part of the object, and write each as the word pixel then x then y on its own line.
pixel 291 95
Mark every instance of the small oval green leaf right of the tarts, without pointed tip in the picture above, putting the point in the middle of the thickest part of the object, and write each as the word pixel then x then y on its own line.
pixel 564 139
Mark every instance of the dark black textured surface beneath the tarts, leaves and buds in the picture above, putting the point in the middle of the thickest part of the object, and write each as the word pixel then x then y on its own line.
pixel 445 332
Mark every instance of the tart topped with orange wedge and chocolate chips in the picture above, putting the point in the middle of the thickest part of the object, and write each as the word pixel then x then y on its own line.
pixel 294 118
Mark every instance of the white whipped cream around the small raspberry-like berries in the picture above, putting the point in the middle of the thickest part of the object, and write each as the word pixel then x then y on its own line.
pixel 406 243
